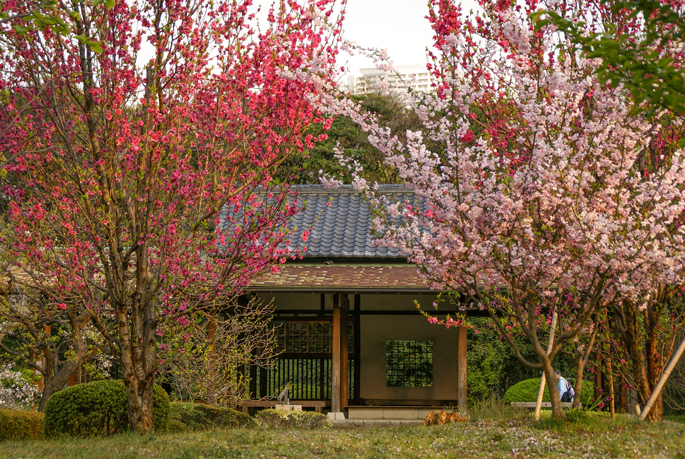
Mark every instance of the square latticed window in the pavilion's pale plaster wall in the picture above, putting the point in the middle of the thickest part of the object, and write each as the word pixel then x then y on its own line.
pixel 409 363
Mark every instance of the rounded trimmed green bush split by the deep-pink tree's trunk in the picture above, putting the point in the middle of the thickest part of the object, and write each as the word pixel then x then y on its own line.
pixel 98 408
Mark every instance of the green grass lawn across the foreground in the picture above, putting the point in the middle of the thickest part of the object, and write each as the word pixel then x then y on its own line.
pixel 595 437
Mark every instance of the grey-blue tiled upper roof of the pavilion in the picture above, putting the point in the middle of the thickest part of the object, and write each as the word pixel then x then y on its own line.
pixel 339 222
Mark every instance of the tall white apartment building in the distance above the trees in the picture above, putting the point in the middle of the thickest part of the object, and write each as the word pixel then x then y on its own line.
pixel 414 76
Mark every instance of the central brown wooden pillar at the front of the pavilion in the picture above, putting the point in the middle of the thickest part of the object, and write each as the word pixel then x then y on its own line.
pixel 339 353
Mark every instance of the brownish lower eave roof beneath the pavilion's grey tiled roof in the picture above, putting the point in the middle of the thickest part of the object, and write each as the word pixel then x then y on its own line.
pixel 341 278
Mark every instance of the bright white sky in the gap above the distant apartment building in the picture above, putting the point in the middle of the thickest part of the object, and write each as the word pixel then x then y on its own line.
pixel 399 26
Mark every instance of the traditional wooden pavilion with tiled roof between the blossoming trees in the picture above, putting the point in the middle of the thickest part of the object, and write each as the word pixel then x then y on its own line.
pixel 350 332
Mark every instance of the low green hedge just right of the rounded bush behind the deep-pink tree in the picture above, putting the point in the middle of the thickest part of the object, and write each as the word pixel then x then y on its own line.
pixel 189 416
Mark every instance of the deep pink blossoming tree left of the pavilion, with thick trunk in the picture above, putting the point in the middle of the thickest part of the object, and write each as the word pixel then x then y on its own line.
pixel 127 158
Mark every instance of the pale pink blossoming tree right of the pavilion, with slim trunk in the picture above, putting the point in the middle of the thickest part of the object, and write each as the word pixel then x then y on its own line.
pixel 535 188
